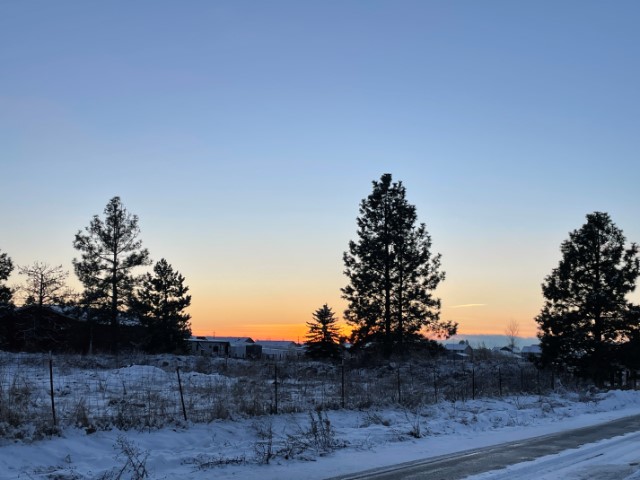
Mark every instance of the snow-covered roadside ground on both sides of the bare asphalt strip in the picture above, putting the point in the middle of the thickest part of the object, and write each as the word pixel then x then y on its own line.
pixel 321 445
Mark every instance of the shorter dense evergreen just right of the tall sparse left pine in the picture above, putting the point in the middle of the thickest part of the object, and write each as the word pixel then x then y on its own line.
pixel 160 304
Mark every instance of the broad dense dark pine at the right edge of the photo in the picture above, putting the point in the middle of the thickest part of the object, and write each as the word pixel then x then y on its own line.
pixel 586 316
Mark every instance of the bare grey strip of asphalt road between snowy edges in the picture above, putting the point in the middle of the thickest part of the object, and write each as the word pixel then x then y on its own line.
pixel 474 462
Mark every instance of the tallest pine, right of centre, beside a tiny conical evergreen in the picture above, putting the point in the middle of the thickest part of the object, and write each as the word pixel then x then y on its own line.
pixel 392 272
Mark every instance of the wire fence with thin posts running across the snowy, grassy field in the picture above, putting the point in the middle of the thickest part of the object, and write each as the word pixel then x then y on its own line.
pixel 40 393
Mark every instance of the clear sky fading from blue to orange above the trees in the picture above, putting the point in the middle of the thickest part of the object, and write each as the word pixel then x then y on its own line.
pixel 244 134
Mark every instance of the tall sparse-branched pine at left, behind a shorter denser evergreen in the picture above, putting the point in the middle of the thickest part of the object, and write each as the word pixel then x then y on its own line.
pixel 110 251
